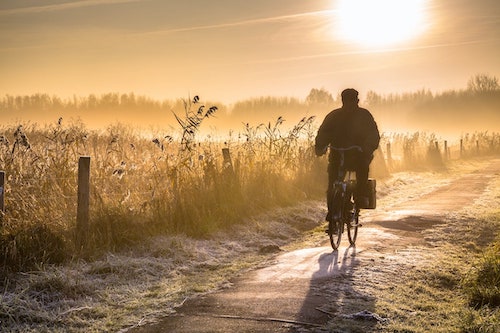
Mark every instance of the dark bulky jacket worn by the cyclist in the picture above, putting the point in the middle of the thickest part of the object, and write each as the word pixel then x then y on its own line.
pixel 348 126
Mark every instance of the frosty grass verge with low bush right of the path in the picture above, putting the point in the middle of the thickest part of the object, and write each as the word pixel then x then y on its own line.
pixel 452 285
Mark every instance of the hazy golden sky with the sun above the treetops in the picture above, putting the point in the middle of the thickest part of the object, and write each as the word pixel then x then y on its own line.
pixel 227 50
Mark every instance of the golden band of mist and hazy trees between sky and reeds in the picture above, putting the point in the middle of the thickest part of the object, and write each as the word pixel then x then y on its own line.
pixel 449 113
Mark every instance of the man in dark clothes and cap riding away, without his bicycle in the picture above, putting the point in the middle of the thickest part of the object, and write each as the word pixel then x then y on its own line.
pixel 348 126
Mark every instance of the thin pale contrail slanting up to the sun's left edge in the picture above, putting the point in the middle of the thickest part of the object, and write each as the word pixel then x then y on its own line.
pixel 242 23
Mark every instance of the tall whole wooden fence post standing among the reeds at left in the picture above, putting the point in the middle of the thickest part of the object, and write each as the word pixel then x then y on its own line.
pixel 82 215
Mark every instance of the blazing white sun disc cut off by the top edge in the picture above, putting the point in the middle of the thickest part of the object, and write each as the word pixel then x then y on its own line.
pixel 380 22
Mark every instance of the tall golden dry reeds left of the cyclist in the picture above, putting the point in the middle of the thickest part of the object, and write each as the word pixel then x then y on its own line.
pixel 143 186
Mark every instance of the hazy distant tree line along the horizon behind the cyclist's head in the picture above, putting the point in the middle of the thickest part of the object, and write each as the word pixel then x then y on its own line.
pixel 478 101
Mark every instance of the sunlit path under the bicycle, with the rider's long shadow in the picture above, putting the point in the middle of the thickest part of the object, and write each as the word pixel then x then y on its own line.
pixel 301 290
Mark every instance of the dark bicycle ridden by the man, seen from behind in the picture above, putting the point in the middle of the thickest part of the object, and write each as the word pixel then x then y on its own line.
pixel 345 212
